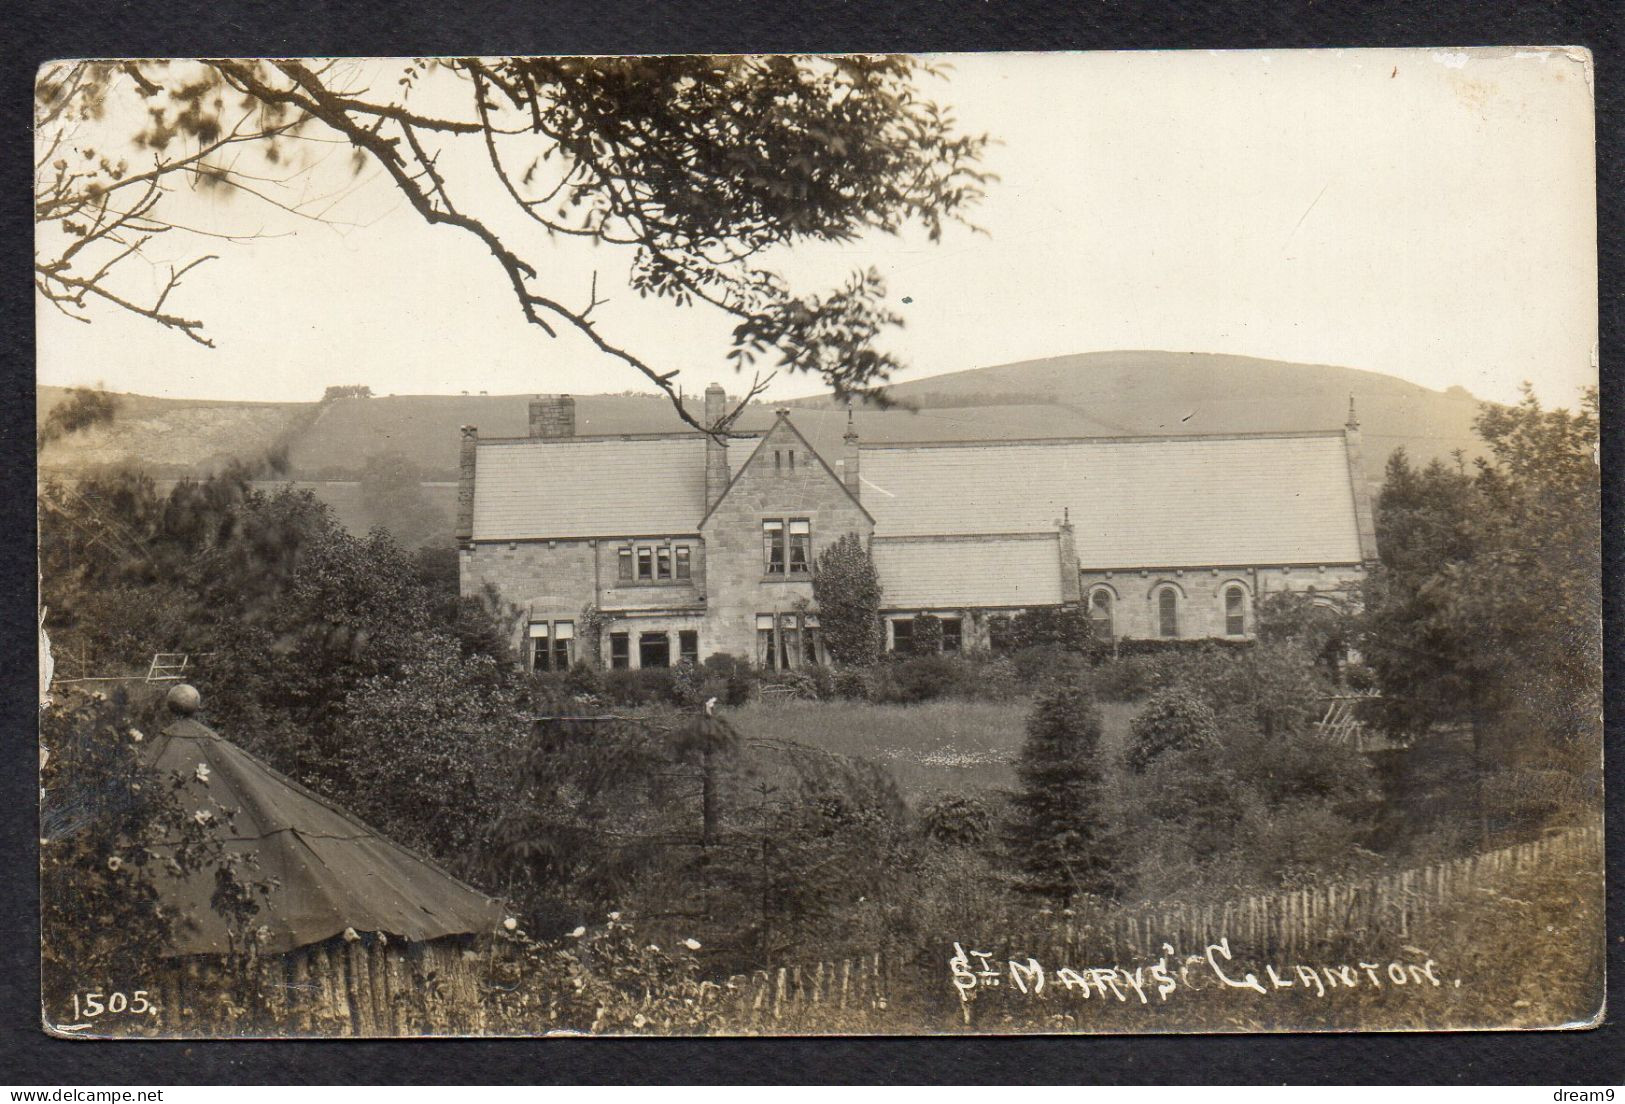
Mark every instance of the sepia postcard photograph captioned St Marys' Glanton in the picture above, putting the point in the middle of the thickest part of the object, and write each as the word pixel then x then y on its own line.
pixel 802 545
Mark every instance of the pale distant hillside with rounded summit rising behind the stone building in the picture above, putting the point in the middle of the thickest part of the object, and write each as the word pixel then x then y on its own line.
pixel 1091 394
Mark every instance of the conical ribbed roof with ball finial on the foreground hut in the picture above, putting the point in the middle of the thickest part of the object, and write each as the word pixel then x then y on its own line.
pixel 331 871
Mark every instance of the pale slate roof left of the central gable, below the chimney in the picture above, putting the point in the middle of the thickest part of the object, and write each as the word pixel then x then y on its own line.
pixel 589 487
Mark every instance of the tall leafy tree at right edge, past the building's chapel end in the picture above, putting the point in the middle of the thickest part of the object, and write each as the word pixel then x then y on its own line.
pixel 1489 602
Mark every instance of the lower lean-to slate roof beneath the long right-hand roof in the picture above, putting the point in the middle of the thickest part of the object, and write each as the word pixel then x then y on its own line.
pixel 935 575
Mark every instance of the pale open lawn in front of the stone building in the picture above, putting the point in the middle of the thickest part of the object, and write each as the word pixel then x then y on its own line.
pixel 932 747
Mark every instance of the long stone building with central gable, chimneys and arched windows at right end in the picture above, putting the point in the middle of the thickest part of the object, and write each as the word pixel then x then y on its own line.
pixel 648 550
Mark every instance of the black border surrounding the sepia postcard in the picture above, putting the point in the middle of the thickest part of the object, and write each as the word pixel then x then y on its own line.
pixel 82 28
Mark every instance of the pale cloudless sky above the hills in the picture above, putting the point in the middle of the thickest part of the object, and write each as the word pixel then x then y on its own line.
pixel 1424 214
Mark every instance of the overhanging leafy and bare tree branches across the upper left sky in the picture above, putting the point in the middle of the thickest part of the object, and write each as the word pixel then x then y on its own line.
pixel 698 167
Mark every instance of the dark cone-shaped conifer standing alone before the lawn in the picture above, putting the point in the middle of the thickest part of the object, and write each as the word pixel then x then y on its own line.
pixel 1059 828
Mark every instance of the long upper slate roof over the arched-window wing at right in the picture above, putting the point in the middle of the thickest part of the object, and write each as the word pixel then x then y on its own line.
pixel 1133 502
